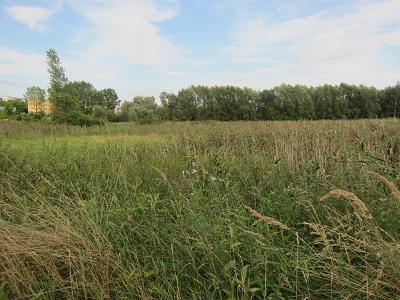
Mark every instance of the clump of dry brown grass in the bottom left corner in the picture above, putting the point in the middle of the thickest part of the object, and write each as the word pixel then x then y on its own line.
pixel 54 254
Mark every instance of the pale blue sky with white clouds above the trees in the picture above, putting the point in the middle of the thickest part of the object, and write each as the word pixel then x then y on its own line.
pixel 143 47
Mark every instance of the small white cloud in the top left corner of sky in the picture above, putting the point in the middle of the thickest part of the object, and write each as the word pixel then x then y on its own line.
pixel 31 16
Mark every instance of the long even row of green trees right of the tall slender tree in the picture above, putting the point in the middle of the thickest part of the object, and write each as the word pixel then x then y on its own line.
pixel 284 102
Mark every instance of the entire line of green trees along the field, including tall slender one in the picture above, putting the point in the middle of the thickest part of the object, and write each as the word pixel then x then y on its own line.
pixel 79 102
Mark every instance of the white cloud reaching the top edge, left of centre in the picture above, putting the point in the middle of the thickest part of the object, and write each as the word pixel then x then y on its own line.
pixel 125 32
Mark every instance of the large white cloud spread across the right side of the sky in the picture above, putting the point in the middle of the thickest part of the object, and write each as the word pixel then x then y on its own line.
pixel 321 48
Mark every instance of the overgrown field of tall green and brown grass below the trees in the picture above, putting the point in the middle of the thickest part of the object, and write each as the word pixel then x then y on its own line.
pixel 212 210
